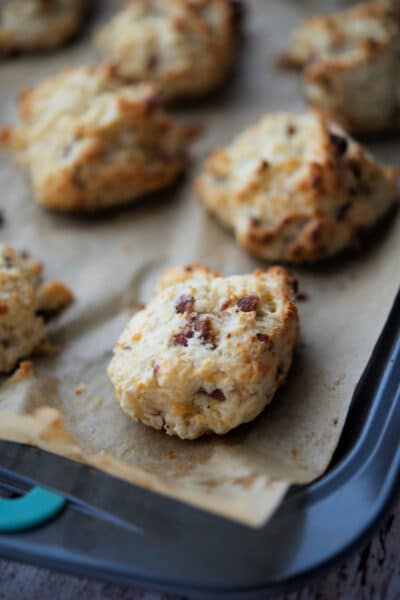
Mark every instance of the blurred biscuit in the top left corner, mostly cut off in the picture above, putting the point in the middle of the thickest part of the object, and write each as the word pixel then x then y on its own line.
pixel 33 25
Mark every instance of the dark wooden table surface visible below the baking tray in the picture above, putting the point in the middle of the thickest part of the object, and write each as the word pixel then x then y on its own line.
pixel 373 573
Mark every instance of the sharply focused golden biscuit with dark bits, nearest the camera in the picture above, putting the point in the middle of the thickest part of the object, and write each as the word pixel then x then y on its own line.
pixel 208 353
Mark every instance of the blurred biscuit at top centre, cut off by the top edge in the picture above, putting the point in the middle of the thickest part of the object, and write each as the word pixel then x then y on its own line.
pixel 185 47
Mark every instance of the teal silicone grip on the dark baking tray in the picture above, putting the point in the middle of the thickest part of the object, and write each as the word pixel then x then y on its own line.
pixel 33 509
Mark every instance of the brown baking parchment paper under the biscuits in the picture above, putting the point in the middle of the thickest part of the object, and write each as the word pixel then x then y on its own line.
pixel 111 262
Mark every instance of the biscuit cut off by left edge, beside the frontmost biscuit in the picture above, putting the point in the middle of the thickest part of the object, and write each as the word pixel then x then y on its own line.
pixel 22 297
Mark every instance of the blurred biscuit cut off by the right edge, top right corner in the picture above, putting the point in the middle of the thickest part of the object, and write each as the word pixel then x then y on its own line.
pixel 350 65
